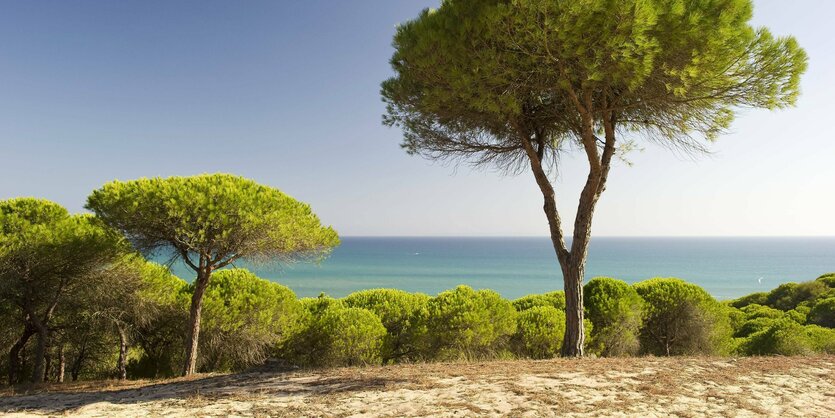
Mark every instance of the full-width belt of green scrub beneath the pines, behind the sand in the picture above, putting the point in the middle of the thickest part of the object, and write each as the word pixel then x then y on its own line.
pixel 138 328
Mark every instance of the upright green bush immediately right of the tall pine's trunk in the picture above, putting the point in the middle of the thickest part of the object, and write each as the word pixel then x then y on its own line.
pixel 616 310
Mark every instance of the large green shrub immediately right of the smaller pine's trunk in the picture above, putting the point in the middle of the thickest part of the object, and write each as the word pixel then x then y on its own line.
pixel 244 318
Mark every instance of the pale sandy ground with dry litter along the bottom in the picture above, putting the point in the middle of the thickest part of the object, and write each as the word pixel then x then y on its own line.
pixel 645 387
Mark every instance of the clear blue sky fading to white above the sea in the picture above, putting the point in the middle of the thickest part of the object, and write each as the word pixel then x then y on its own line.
pixel 287 93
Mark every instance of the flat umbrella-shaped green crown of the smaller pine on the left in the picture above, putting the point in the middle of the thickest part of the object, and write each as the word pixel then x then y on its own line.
pixel 224 216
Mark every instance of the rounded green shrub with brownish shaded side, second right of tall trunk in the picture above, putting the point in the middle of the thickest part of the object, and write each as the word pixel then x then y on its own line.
pixel 681 318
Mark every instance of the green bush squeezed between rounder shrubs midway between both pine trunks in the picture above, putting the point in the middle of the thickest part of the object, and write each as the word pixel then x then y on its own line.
pixel 397 310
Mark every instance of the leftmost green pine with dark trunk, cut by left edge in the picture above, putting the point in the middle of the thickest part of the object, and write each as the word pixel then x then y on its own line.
pixel 49 259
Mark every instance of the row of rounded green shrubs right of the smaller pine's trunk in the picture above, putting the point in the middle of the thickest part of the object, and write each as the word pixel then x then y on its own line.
pixel 661 316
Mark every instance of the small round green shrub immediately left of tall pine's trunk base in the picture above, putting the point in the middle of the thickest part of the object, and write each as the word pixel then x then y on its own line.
pixel 539 332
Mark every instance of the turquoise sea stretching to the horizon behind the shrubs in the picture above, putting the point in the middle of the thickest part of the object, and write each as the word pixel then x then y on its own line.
pixel 726 267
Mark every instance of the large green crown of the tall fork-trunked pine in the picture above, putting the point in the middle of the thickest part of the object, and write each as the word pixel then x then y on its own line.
pixel 472 78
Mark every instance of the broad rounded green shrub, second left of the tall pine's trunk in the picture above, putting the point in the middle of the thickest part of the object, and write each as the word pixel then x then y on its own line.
pixel 469 324
